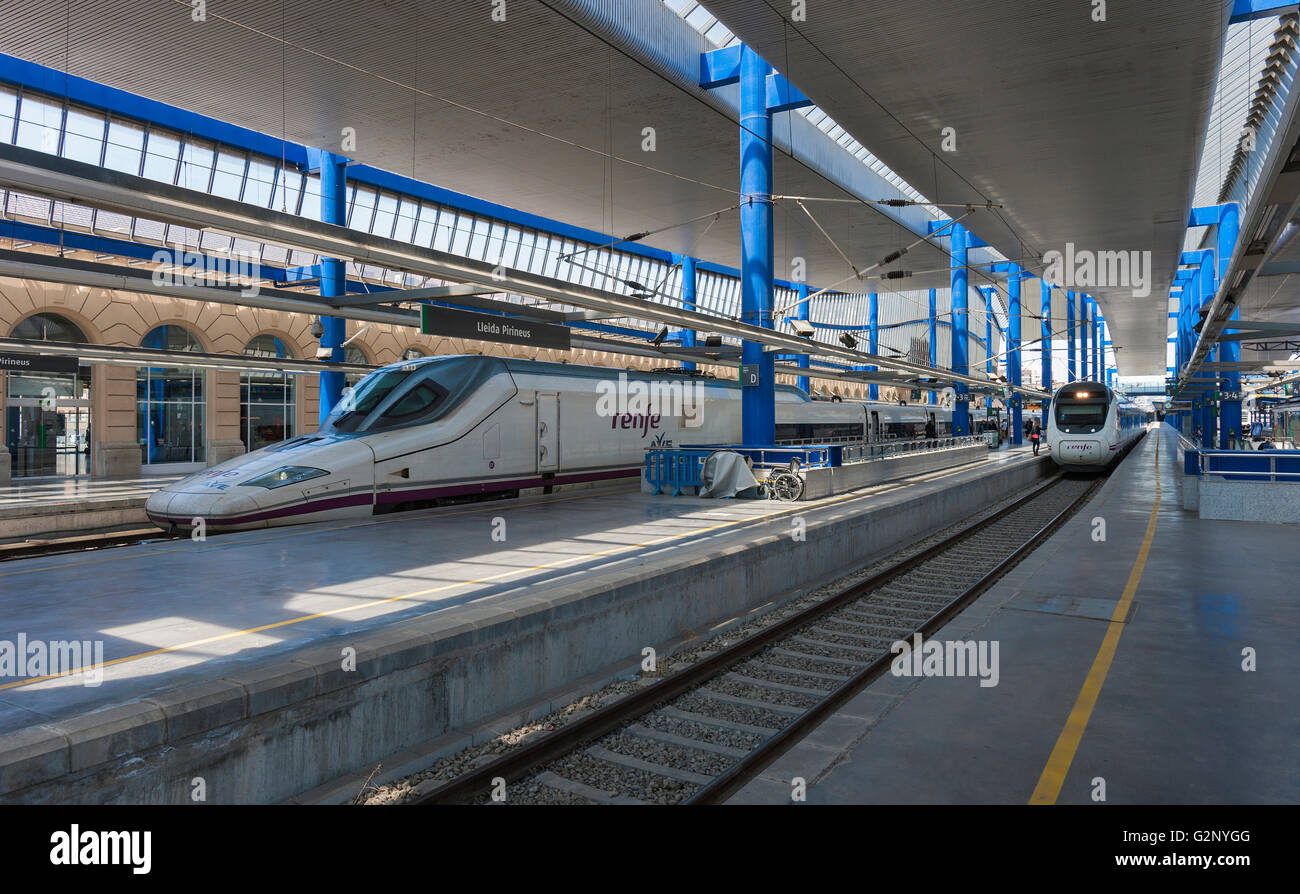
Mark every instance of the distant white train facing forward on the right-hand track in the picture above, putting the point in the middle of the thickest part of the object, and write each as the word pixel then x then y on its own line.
pixel 1090 427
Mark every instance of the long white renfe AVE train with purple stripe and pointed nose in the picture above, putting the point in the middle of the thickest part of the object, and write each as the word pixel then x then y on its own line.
pixel 434 429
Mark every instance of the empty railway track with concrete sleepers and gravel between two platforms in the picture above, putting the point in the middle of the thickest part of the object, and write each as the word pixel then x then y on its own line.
pixel 701 734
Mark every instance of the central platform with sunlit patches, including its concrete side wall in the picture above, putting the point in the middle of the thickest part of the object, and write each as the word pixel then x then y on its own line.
pixel 502 600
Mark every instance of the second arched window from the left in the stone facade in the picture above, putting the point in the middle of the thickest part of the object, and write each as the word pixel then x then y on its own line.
pixel 171 401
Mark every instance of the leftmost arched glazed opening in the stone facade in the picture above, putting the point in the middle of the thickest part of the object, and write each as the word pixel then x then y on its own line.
pixel 47 414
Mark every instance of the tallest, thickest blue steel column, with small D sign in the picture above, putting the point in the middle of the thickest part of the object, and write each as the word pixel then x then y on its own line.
pixel 759 405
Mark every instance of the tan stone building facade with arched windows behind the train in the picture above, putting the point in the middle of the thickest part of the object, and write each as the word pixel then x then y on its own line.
pixel 103 424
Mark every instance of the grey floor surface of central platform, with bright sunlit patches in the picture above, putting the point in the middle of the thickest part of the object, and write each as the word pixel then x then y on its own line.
pixel 177 613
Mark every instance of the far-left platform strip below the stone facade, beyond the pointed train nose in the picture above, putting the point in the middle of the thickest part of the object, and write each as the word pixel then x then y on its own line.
pixel 67 505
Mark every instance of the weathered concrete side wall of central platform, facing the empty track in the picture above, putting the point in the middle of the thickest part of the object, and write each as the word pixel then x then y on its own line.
pixel 274 731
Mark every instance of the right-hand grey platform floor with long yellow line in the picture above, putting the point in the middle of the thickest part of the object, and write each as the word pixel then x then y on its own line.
pixel 1121 672
